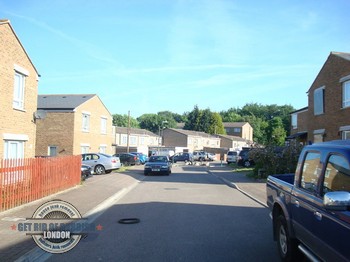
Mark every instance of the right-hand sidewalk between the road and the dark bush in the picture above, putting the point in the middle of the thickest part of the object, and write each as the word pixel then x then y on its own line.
pixel 255 189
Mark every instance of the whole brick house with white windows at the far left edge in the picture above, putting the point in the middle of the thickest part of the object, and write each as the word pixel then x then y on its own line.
pixel 18 100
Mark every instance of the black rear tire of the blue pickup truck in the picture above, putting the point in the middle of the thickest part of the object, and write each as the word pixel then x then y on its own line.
pixel 287 247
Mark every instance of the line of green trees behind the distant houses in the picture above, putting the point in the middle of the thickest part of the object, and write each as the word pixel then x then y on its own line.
pixel 271 123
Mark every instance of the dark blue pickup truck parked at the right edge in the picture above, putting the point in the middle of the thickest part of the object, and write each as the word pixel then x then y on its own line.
pixel 311 209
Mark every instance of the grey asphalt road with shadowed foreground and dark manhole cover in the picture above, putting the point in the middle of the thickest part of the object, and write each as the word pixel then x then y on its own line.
pixel 187 216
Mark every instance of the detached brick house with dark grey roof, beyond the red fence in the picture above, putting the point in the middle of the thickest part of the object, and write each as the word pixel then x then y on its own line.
pixel 73 124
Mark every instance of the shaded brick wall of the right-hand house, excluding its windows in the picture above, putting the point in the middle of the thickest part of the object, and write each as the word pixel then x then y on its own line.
pixel 335 116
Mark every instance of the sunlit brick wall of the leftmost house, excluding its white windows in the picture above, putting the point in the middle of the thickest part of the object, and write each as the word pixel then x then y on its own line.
pixel 16 122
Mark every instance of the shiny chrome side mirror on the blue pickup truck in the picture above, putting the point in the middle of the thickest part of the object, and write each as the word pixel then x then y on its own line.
pixel 337 201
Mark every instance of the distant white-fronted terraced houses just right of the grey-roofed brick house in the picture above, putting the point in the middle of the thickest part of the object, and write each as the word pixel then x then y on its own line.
pixel 140 140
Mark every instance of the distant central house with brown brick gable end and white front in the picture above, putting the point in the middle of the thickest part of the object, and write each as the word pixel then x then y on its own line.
pixel 192 140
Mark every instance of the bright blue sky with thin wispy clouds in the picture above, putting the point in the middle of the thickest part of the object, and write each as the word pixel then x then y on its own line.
pixel 148 56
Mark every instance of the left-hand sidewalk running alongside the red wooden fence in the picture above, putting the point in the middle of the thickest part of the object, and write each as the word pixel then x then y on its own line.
pixel 89 199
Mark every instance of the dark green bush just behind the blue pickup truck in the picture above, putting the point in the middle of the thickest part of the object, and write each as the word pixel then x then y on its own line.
pixel 275 160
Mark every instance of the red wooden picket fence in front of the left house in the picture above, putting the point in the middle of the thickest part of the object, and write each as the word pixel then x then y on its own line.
pixel 26 180
